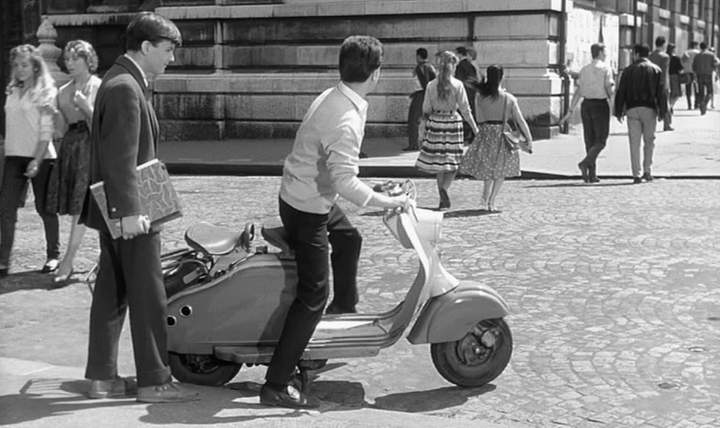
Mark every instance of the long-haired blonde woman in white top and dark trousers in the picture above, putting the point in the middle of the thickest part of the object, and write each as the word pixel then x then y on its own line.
pixel 29 151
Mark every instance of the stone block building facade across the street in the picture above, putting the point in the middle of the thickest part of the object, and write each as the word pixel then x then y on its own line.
pixel 249 69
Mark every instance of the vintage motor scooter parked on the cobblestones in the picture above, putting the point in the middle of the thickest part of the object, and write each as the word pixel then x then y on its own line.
pixel 227 304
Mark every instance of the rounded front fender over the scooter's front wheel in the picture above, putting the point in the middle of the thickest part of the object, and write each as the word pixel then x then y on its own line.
pixel 451 316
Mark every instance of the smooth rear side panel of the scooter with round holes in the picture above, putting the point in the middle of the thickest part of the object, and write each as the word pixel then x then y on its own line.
pixel 246 306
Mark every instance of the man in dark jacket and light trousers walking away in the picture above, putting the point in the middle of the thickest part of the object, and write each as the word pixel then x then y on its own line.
pixel 641 97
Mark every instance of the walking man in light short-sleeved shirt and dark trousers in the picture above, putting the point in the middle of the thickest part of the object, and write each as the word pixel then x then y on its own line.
pixel 595 88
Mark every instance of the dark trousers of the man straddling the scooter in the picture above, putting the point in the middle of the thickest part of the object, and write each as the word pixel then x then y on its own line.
pixel 310 236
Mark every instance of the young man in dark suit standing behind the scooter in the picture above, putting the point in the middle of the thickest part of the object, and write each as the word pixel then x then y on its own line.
pixel 124 135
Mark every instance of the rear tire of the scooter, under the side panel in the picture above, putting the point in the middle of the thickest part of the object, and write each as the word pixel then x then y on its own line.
pixel 202 369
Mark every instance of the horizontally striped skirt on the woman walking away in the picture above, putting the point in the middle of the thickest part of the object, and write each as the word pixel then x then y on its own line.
pixel 441 149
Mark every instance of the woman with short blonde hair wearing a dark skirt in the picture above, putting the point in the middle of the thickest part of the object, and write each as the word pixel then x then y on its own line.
pixel 73 119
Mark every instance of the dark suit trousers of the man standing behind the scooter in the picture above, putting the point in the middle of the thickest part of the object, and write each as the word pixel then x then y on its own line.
pixel 129 276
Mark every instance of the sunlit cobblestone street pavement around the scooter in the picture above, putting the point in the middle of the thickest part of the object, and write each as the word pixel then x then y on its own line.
pixel 614 291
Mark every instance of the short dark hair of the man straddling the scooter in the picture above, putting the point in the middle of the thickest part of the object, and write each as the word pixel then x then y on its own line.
pixel 360 56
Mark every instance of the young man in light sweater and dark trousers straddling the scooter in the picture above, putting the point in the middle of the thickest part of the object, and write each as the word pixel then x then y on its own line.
pixel 322 166
